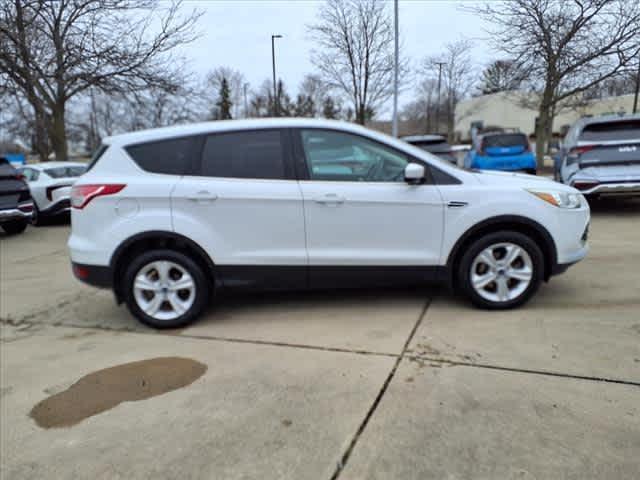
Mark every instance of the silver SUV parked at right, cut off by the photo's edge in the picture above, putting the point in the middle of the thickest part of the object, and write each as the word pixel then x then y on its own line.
pixel 600 156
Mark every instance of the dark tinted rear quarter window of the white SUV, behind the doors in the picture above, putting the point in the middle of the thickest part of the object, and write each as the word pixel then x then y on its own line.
pixel 170 157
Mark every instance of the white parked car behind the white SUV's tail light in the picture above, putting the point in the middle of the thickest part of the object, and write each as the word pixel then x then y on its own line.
pixel 50 185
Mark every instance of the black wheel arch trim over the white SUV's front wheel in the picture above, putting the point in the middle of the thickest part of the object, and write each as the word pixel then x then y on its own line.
pixel 539 234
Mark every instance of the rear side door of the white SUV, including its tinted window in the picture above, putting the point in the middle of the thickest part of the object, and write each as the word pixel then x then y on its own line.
pixel 243 205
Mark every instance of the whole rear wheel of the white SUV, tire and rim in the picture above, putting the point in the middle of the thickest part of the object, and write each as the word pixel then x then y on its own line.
pixel 165 289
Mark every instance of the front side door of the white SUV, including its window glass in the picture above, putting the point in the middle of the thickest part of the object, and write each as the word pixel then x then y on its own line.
pixel 361 217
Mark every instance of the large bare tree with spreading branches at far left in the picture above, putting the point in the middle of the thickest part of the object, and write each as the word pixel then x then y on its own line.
pixel 52 51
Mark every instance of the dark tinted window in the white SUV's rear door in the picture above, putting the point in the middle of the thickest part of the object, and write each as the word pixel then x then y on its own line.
pixel 255 154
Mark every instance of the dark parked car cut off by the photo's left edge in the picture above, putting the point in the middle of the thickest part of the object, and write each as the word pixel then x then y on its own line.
pixel 16 205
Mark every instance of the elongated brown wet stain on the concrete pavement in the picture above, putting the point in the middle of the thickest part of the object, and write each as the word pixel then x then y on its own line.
pixel 100 391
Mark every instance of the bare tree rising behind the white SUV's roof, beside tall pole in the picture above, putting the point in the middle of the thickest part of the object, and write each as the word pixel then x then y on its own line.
pixel 355 52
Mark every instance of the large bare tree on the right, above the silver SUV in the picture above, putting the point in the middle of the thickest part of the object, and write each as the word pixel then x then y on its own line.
pixel 566 47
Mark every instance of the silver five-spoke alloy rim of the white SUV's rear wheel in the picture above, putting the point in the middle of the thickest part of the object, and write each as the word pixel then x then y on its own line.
pixel 164 290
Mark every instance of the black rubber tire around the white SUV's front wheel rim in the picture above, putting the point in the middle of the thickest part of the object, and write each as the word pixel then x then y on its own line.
pixel 524 242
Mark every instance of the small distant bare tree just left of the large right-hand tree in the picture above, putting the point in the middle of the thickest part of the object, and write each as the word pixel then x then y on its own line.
pixel 457 79
